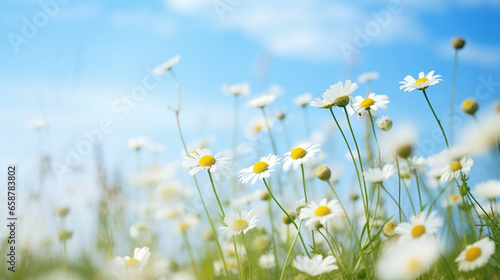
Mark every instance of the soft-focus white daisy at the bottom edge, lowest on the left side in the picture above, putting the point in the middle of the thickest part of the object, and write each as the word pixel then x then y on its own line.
pixel 127 267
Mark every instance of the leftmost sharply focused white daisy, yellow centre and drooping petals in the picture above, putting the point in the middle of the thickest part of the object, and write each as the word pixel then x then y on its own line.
pixel 203 159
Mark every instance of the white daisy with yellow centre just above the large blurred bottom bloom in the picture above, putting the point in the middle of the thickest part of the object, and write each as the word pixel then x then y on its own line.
pixel 419 226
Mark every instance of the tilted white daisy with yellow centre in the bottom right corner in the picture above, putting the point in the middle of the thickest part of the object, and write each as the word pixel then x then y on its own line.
pixel 475 255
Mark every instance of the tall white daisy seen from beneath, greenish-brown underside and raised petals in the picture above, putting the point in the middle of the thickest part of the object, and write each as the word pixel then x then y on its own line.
pixel 336 95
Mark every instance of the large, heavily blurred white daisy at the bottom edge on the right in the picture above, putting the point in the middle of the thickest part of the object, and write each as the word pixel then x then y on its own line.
pixel 406 261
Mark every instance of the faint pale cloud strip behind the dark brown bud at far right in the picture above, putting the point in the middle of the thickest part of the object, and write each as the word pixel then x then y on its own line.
pixel 473 52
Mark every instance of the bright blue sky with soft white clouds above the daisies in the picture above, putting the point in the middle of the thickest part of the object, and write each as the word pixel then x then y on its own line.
pixel 89 53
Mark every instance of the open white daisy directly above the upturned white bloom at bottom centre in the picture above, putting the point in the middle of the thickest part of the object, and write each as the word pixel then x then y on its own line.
pixel 320 214
